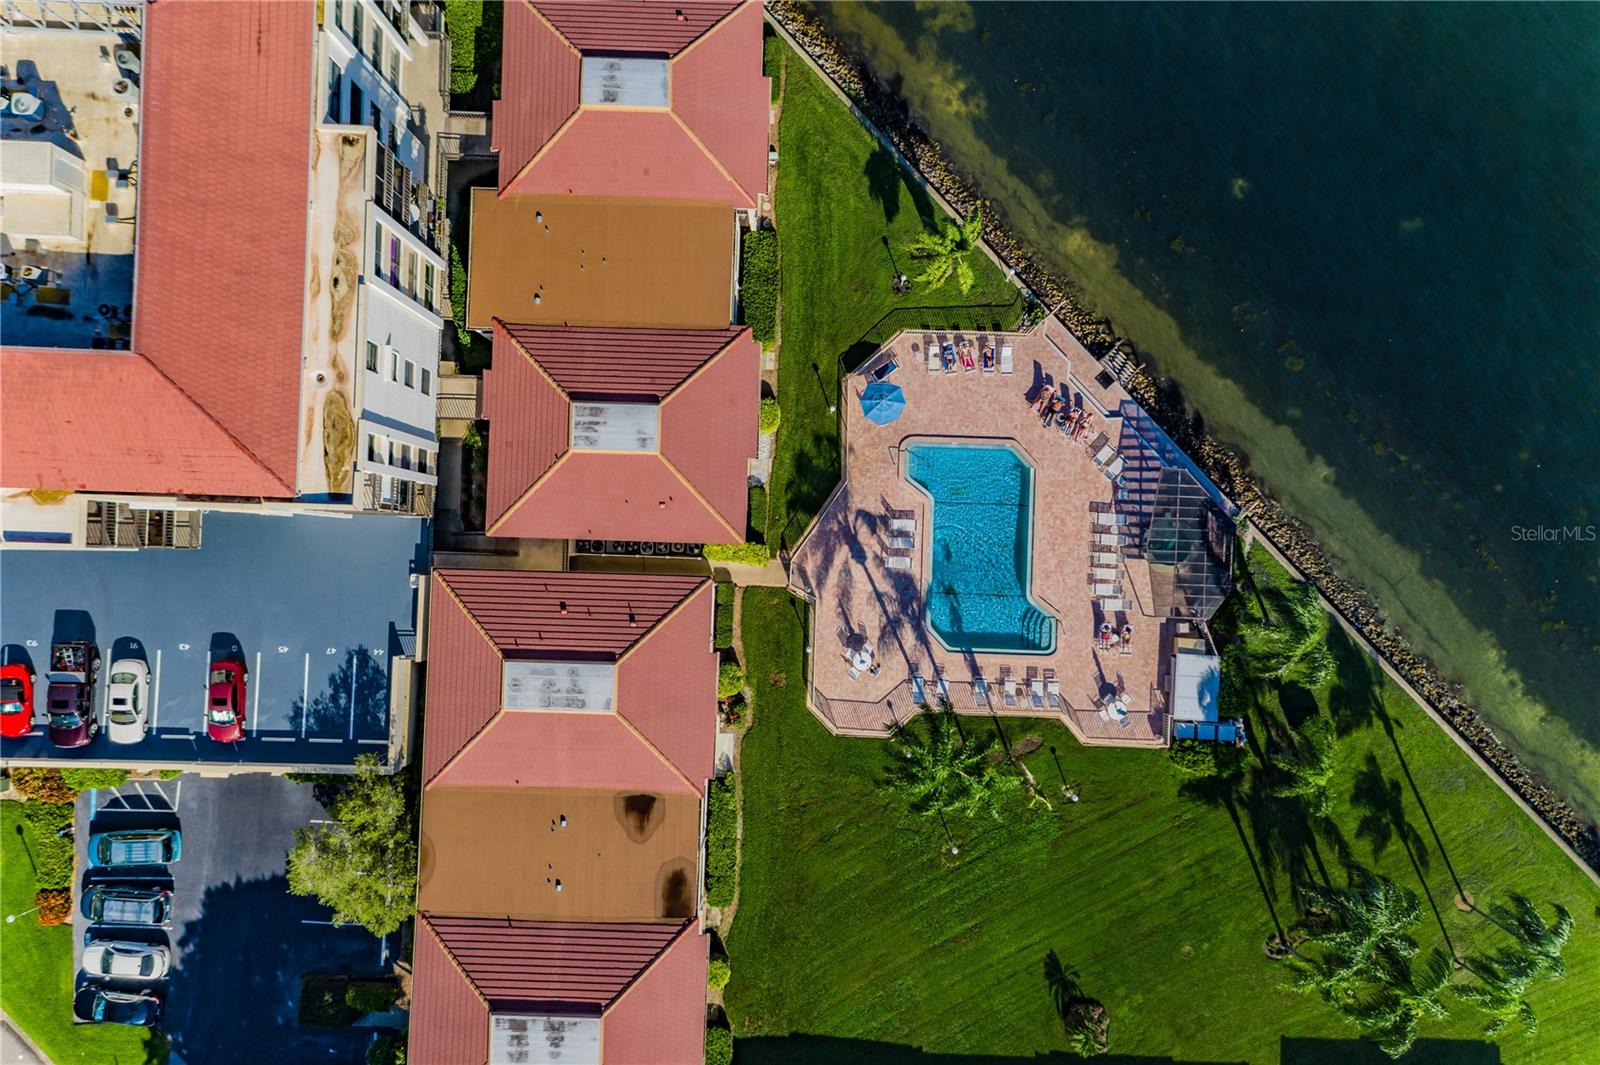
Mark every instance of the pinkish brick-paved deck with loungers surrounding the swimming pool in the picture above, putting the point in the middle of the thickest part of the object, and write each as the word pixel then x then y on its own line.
pixel 841 565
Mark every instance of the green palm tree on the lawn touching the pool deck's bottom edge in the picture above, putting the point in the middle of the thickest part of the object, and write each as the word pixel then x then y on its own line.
pixel 943 773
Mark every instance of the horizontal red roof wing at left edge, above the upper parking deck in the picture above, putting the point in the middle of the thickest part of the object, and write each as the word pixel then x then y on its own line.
pixel 114 423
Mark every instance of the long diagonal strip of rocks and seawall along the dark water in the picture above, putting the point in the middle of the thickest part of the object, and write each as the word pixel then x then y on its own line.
pixel 1166 404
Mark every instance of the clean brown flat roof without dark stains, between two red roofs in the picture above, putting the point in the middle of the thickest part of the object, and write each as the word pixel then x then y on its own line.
pixel 601 263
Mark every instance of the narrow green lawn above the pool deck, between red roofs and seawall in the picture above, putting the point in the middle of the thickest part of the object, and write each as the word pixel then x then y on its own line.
pixel 841 197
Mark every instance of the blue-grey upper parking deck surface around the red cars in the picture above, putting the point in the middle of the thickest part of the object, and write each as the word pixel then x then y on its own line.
pixel 314 607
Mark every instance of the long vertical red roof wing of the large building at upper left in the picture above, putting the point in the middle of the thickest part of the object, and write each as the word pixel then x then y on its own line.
pixel 225 174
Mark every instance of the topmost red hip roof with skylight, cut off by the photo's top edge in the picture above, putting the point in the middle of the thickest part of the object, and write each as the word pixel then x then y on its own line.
pixel 710 145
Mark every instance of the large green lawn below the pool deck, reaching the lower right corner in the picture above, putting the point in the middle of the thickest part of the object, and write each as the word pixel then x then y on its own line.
pixel 860 939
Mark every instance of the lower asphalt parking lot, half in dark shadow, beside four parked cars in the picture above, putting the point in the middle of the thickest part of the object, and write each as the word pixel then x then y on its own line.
pixel 239 941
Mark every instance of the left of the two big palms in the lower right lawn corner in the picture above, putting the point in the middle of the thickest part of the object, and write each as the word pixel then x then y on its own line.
pixel 1354 928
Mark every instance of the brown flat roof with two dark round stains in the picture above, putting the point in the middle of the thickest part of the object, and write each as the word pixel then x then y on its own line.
pixel 502 852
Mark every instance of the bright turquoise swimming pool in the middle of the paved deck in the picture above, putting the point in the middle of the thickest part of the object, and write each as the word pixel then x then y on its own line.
pixel 983 548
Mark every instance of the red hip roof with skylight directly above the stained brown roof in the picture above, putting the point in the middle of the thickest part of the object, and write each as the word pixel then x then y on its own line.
pixel 660 738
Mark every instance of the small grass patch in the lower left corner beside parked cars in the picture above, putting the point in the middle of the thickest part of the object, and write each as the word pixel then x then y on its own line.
pixel 38 967
